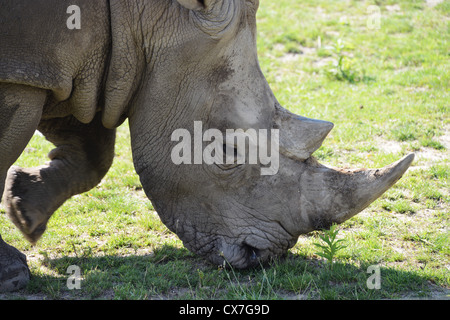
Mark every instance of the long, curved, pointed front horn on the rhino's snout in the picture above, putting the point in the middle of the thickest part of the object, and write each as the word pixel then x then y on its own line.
pixel 331 195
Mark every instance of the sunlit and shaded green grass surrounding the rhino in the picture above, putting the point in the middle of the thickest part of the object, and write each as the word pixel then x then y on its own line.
pixel 124 252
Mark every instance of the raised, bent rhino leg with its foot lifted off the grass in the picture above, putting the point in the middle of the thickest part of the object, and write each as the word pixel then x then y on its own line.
pixel 83 155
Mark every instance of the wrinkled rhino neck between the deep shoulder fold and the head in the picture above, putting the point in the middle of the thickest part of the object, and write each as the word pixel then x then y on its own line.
pixel 141 32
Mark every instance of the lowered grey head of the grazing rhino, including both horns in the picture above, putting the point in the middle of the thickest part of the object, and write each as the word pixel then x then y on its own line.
pixel 201 82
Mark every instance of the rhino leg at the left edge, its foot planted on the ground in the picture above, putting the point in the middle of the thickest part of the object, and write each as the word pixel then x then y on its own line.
pixel 20 112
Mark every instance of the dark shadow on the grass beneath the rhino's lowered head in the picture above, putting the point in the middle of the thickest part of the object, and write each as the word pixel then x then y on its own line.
pixel 174 273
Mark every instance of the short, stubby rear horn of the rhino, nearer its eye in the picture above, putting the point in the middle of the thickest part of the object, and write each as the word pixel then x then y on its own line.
pixel 300 136
